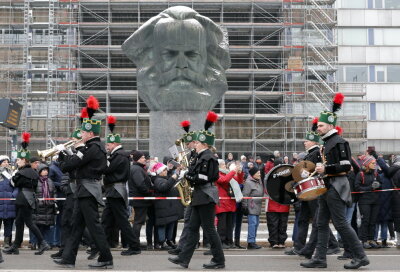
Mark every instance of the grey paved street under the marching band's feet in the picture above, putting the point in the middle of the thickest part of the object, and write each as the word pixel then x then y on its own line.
pixel 236 260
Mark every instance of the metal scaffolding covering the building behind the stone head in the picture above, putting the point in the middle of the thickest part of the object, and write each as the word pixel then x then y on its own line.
pixel 284 60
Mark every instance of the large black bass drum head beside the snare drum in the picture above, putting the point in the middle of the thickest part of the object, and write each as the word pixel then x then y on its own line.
pixel 276 184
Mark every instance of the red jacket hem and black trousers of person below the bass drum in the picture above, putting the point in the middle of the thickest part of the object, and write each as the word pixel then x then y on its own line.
pixel 277 219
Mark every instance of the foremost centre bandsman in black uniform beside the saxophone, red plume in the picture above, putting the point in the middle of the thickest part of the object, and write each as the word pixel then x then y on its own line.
pixel 202 174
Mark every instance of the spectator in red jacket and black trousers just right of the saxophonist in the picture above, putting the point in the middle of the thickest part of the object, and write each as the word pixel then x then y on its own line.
pixel 226 207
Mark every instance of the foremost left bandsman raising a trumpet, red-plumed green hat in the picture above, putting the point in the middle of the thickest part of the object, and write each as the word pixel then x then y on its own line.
pixel 90 162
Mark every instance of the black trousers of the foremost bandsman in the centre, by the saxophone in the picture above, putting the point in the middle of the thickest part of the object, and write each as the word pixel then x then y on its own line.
pixel 202 215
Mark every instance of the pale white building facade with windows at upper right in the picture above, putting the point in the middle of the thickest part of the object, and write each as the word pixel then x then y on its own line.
pixel 369 59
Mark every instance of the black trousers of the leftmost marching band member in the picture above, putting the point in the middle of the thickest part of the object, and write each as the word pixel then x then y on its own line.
pixel 24 215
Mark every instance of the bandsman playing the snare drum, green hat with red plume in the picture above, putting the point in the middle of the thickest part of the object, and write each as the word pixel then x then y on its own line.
pixel 337 155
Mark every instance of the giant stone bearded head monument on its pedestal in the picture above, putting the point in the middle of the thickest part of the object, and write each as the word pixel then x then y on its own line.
pixel 181 59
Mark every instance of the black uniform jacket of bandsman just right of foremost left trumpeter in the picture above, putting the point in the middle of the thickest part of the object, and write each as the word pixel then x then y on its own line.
pixel 117 171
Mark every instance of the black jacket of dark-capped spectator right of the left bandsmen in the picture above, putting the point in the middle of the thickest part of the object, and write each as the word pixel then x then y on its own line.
pixel 140 185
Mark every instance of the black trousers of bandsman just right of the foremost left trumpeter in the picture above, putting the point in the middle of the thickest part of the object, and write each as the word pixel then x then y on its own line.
pixel 115 213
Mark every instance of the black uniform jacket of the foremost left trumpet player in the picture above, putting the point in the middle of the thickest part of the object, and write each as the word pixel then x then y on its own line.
pixel 90 162
